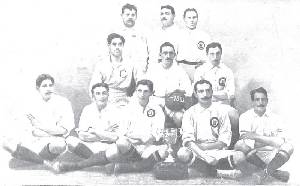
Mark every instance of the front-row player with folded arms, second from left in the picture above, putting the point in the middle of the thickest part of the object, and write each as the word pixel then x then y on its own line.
pixel 97 131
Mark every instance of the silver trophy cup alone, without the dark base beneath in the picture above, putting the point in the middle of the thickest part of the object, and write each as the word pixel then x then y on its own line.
pixel 170 138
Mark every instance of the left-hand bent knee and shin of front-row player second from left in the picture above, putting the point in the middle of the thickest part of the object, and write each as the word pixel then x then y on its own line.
pixel 76 146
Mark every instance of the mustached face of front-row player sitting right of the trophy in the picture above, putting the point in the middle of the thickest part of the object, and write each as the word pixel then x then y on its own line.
pixel 204 93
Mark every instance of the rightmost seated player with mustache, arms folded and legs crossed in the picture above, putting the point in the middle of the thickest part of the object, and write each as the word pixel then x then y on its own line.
pixel 262 139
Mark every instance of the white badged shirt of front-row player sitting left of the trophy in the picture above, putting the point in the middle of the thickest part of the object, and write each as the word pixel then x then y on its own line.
pixel 143 121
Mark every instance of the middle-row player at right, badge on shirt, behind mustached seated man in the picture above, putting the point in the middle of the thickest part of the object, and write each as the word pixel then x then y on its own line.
pixel 222 80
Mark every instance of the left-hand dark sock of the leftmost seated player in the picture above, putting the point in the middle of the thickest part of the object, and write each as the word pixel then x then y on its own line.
pixel 24 153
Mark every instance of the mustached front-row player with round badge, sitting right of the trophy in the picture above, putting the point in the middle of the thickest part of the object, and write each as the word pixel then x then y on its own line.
pixel 206 133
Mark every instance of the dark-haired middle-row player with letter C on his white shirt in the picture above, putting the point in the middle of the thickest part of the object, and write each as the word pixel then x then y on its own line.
pixel 117 71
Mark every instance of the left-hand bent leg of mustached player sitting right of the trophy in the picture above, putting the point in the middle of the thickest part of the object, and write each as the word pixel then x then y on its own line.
pixel 185 155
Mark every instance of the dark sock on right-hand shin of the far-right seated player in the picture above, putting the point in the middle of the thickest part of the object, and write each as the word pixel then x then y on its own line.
pixel 280 158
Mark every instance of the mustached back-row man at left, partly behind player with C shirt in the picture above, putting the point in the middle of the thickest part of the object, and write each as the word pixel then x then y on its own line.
pixel 136 43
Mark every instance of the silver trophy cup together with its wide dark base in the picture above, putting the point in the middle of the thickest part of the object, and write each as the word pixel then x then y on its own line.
pixel 170 169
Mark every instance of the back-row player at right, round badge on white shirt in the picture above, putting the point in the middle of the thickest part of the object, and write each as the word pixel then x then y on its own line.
pixel 192 43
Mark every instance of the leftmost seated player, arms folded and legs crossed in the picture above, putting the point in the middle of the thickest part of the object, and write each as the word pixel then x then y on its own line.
pixel 49 119
